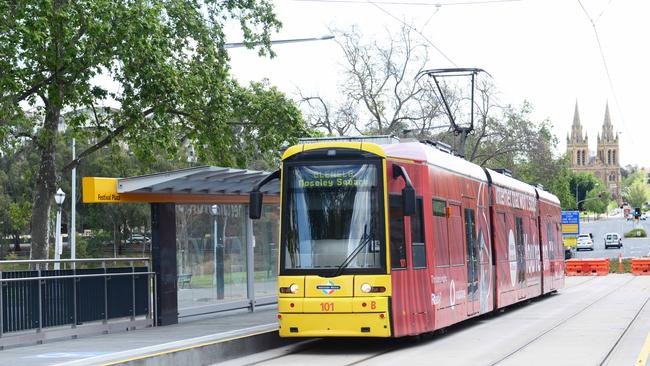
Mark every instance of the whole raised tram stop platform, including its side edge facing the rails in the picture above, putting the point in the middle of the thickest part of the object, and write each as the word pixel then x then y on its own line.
pixel 200 340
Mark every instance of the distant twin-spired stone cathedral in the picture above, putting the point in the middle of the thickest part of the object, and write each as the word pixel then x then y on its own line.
pixel 604 163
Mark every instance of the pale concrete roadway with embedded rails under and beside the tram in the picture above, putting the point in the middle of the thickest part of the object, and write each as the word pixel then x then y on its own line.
pixel 592 321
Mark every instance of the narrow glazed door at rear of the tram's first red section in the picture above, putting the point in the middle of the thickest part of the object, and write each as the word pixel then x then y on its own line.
pixel 472 261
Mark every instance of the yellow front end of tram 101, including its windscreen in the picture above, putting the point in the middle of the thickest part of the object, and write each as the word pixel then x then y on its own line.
pixel 355 303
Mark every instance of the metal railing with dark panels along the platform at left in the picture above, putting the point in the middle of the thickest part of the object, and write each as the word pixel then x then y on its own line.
pixel 84 297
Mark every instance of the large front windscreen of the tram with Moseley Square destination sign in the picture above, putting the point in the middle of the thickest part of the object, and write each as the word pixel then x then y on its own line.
pixel 332 216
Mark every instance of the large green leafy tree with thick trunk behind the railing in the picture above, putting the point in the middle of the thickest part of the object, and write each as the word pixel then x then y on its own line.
pixel 168 72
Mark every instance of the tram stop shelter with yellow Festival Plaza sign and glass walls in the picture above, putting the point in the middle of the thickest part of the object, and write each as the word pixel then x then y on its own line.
pixel 207 254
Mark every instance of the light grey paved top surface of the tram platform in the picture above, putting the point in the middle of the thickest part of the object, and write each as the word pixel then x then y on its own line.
pixel 92 350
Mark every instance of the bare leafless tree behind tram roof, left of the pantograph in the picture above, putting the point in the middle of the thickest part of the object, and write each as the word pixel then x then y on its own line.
pixel 379 91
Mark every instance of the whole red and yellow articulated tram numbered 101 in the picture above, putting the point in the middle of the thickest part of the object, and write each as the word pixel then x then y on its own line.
pixel 403 239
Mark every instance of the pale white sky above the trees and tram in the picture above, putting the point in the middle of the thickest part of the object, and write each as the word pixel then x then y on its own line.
pixel 542 51
